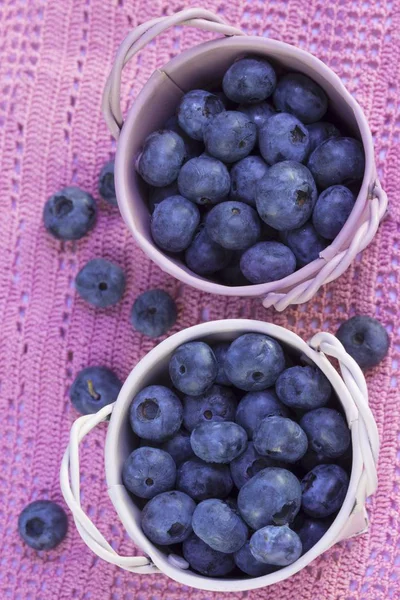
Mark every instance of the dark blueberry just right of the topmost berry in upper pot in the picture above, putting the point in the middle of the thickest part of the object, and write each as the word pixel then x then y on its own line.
pixel 298 94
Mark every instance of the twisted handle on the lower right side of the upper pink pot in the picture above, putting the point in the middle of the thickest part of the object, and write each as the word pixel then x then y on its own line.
pixel 339 263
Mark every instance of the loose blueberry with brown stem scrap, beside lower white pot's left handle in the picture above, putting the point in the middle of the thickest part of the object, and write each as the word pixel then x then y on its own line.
pixel 93 388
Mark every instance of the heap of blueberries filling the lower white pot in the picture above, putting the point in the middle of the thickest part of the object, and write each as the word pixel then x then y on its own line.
pixel 243 460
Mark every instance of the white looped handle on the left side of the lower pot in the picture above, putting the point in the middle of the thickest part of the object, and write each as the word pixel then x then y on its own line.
pixel 70 487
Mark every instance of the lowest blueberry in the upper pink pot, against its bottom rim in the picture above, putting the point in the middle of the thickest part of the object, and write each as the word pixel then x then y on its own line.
pixel 267 261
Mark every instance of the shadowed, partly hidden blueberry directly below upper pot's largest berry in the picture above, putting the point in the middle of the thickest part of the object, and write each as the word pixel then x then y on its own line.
pixel 305 243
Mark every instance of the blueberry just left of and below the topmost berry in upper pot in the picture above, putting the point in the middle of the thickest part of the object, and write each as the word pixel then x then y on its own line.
pixel 196 109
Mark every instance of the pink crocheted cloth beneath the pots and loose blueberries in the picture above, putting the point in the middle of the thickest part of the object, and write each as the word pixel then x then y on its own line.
pixel 55 56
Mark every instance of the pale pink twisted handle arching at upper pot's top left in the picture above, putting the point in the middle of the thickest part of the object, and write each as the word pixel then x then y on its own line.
pixel 137 39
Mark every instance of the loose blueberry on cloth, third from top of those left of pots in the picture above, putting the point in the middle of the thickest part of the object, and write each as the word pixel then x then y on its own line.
pixel 100 282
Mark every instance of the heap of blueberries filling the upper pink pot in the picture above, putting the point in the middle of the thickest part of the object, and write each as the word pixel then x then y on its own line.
pixel 245 191
